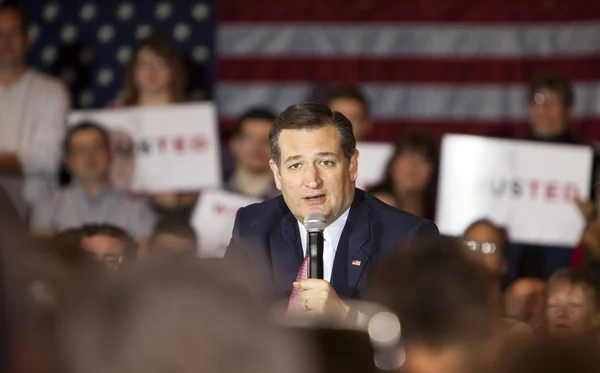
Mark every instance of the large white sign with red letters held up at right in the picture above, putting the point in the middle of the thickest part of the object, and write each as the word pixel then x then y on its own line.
pixel 528 187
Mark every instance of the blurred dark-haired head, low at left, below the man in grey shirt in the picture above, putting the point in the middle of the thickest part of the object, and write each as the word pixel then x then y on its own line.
pixel 111 245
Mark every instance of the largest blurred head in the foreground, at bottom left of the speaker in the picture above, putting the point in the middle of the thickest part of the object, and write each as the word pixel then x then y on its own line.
pixel 177 317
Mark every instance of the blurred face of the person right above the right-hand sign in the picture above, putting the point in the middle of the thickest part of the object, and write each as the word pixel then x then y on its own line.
pixel 549 117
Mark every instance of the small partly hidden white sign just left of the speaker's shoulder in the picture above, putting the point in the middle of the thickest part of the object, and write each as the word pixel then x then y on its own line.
pixel 213 220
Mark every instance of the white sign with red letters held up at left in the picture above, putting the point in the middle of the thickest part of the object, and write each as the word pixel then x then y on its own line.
pixel 167 148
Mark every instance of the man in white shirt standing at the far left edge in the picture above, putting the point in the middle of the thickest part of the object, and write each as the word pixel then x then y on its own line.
pixel 33 109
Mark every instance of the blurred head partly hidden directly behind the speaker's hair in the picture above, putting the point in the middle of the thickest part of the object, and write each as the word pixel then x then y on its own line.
pixel 350 101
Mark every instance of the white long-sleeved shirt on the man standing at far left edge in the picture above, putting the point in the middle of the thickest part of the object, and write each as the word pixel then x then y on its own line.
pixel 33 114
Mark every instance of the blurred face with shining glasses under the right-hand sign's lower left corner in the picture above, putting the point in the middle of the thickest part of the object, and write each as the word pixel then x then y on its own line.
pixel 484 244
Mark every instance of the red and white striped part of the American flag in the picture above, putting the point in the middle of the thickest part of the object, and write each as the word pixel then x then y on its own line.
pixel 443 65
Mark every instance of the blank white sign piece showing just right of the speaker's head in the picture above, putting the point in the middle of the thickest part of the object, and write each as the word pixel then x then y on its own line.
pixel 372 160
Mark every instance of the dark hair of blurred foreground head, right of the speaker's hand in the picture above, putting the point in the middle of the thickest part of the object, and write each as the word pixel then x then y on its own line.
pixel 438 293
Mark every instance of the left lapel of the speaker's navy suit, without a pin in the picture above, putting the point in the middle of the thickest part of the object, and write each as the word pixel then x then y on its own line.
pixel 286 253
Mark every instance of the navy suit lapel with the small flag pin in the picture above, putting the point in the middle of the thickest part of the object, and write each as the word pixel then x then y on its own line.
pixel 354 251
